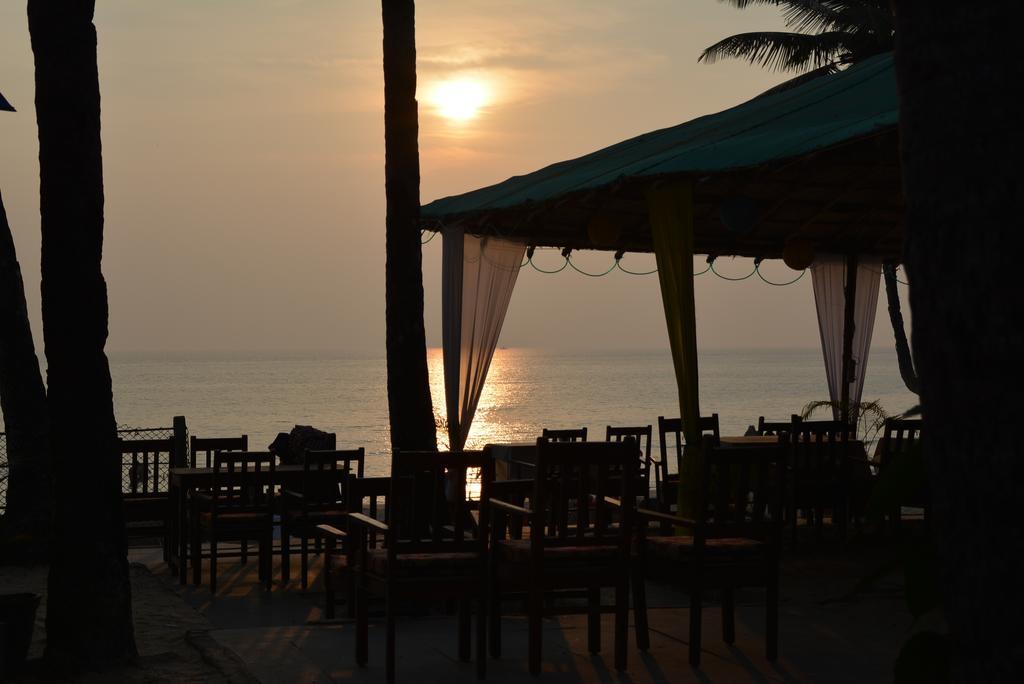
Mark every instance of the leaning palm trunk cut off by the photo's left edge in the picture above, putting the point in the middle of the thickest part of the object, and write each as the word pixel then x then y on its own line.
pixel 23 400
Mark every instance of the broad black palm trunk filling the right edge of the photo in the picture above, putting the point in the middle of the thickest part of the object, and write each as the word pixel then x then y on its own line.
pixel 961 136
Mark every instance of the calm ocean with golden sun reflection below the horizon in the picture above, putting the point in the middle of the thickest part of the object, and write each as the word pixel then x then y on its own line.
pixel 528 391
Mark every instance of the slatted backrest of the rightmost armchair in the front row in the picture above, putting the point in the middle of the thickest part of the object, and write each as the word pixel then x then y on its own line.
pixel 742 493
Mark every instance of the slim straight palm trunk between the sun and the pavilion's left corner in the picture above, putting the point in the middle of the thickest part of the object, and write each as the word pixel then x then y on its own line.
pixel 408 386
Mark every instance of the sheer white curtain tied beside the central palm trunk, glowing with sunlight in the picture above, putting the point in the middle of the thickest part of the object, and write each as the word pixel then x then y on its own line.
pixel 479 276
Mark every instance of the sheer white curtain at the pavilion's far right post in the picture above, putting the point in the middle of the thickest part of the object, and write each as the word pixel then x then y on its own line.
pixel 829 279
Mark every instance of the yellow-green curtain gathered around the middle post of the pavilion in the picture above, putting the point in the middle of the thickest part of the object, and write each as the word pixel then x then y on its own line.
pixel 670 206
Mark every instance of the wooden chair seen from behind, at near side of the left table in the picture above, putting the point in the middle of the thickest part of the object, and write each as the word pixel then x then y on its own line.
pixel 240 507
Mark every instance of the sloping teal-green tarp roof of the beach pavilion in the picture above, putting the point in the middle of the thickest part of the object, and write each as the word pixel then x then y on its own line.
pixel 823 113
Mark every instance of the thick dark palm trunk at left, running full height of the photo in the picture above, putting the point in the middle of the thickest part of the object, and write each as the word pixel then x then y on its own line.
pixel 90 620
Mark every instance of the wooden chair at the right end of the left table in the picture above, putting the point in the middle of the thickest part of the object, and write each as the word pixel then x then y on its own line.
pixel 321 501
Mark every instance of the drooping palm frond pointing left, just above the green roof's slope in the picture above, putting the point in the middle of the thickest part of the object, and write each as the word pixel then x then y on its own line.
pixel 781 51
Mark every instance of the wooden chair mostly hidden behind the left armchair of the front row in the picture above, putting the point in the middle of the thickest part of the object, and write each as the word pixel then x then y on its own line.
pixel 367 496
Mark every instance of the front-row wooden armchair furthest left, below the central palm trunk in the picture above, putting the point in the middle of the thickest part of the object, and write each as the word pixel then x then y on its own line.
pixel 430 552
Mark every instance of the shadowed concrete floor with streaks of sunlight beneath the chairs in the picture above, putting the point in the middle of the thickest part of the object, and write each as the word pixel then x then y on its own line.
pixel 826 635
